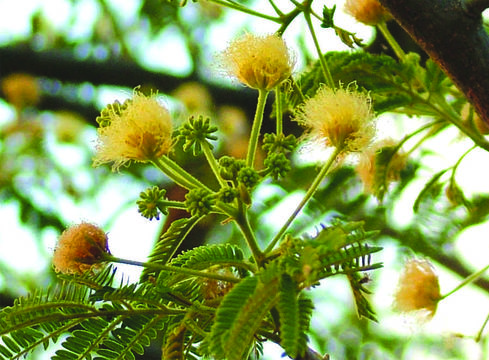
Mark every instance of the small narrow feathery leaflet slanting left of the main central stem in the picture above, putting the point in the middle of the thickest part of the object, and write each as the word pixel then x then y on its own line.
pixel 169 242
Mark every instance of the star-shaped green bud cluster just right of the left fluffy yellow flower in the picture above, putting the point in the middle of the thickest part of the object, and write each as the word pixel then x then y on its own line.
pixel 195 132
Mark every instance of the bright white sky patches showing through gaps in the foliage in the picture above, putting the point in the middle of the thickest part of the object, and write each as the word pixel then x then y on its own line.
pixel 131 235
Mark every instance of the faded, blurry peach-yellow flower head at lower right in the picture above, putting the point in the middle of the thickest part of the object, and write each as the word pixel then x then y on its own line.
pixel 418 288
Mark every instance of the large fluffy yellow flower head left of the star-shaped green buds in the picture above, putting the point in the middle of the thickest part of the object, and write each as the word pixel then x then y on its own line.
pixel 140 130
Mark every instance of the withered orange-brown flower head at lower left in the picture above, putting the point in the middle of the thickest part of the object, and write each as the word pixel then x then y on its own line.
pixel 79 248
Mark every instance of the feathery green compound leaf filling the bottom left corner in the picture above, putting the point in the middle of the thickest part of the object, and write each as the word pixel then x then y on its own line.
pixel 112 323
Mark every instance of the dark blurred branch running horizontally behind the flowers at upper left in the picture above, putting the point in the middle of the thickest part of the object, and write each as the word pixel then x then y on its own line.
pixel 64 66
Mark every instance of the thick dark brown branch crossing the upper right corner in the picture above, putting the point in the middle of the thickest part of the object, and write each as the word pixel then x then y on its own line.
pixel 452 33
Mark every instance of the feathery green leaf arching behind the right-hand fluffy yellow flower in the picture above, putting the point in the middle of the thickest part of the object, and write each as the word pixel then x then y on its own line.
pixel 393 84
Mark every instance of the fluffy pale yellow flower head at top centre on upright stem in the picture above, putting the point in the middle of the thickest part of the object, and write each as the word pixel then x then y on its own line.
pixel 260 62
